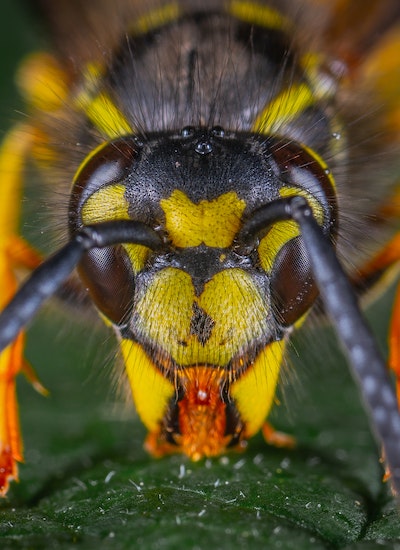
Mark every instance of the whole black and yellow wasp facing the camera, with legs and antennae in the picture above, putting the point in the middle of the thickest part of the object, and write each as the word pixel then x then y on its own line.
pixel 229 175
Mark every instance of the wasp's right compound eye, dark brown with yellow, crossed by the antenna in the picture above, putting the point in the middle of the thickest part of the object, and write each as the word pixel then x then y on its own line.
pixel 281 250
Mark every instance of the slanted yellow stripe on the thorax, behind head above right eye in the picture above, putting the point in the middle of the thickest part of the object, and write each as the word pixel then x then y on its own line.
pixel 286 106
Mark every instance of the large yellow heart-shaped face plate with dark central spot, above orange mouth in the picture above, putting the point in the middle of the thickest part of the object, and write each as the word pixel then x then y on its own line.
pixel 234 314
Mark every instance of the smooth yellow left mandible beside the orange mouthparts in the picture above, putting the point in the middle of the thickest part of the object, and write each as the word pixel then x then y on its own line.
pixel 151 391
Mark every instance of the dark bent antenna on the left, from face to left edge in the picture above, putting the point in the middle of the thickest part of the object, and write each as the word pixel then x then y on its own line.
pixel 49 276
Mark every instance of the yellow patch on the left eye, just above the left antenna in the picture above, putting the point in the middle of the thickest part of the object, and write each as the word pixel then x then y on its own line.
pixel 106 204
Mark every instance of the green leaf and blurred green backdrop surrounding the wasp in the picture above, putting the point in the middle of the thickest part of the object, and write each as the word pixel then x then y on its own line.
pixel 87 482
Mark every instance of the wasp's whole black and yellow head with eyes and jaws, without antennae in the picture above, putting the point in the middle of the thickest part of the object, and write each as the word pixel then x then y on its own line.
pixel 208 313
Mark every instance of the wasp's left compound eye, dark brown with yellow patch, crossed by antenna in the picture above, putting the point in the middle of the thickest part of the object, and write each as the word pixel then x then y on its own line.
pixel 98 196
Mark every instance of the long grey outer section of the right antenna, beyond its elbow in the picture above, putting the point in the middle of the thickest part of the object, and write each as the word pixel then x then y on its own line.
pixel 355 336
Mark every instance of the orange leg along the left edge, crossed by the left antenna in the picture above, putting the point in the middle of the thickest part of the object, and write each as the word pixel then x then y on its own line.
pixel 15 253
